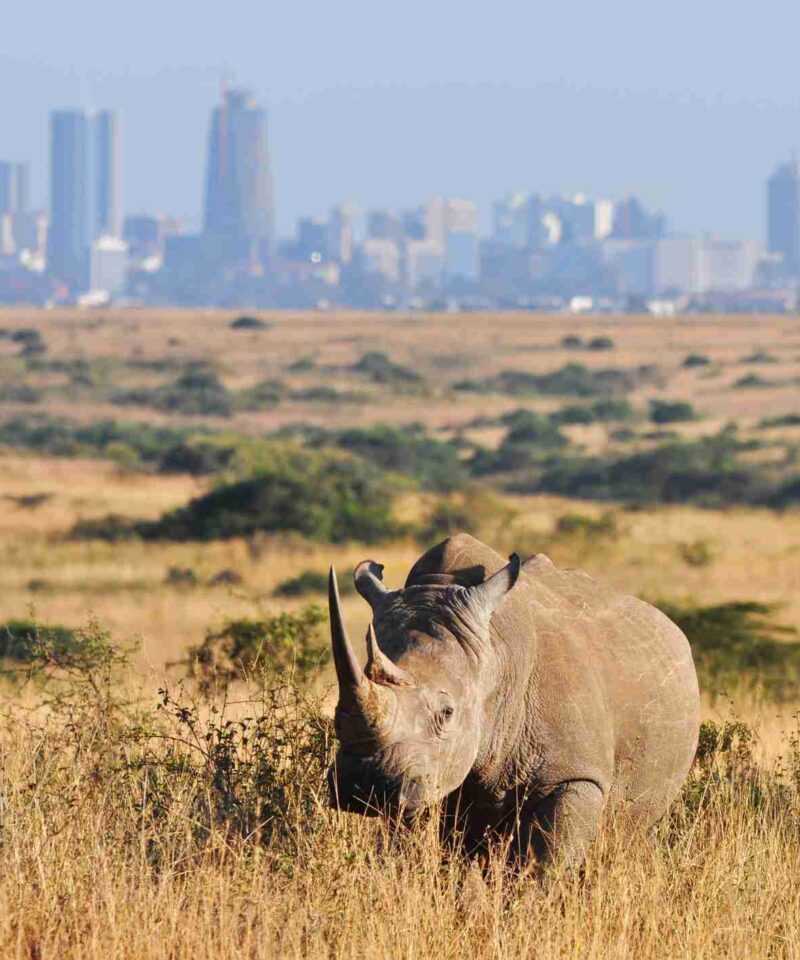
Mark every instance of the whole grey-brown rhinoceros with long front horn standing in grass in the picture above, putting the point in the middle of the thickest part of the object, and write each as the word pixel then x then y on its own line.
pixel 529 698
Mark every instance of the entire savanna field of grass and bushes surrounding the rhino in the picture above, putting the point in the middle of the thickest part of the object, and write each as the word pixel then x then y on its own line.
pixel 173 488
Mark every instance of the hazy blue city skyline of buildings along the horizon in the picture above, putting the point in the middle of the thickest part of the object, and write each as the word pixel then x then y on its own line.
pixel 568 252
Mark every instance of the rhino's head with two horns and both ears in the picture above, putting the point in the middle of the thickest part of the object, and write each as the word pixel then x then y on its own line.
pixel 412 723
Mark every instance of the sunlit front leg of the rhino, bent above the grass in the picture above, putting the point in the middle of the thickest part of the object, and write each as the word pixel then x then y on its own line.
pixel 563 824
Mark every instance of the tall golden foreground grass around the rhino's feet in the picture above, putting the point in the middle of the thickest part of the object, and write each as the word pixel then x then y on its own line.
pixel 116 843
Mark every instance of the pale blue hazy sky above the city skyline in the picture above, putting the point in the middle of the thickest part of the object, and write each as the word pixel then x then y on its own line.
pixel 688 103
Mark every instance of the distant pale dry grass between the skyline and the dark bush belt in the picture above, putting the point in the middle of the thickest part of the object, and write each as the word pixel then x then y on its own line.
pixel 443 348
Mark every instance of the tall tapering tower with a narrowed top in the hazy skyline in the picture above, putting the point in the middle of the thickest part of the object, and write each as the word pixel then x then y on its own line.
pixel 238 203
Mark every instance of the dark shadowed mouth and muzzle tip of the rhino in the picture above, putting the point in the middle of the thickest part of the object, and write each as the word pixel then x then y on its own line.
pixel 358 785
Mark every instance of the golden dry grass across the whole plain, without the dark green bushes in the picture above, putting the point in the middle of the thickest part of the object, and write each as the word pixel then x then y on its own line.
pixel 119 834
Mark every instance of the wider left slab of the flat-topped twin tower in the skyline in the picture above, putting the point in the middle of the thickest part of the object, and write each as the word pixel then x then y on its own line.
pixel 70 227
